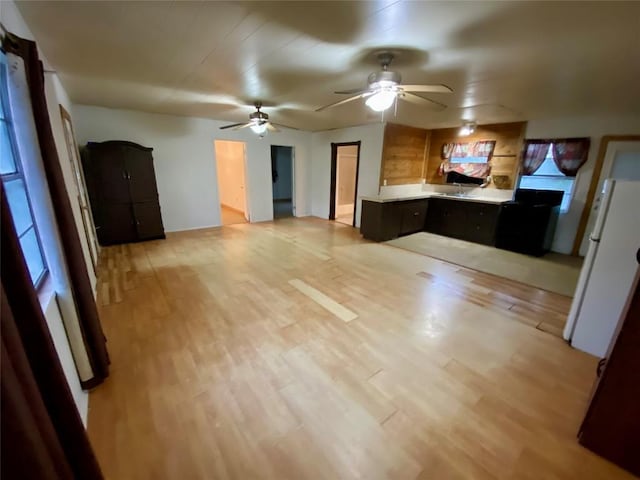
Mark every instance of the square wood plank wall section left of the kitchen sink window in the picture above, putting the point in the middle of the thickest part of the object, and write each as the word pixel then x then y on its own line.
pixel 403 154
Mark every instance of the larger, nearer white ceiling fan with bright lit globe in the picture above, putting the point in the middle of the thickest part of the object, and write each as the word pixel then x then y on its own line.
pixel 384 88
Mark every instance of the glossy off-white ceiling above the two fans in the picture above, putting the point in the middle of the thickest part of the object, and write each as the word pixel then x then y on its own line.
pixel 516 60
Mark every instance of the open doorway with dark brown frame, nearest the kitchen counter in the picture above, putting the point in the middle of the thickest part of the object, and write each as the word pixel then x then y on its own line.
pixel 345 163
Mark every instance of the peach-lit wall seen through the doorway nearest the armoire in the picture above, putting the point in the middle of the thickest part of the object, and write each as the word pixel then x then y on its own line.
pixel 230 170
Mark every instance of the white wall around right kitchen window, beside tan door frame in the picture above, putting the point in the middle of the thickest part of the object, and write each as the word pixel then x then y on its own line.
pixel 595 128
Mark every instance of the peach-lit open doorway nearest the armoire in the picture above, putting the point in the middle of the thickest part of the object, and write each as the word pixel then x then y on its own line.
pixel 230 165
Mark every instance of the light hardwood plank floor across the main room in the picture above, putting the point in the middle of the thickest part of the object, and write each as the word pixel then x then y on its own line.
pixel 296 350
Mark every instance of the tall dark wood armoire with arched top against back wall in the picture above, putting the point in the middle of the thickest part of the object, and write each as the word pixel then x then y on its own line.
pixel 122 190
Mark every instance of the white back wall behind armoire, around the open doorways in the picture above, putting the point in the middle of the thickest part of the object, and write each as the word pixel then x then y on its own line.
pixel 183 152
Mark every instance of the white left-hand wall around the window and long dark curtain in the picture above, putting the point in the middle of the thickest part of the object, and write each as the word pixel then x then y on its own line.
pixel 13 22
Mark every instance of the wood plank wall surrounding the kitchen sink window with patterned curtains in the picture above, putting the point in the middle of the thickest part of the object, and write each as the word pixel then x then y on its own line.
pixel 509 139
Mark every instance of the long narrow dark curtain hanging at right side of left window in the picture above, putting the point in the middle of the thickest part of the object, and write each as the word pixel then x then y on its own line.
pixel 93 335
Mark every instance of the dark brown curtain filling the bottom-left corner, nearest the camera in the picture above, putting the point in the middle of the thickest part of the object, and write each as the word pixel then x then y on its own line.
pixel 42 433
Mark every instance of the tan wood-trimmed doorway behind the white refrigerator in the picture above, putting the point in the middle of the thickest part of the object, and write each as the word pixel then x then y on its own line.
pixel 619 158
